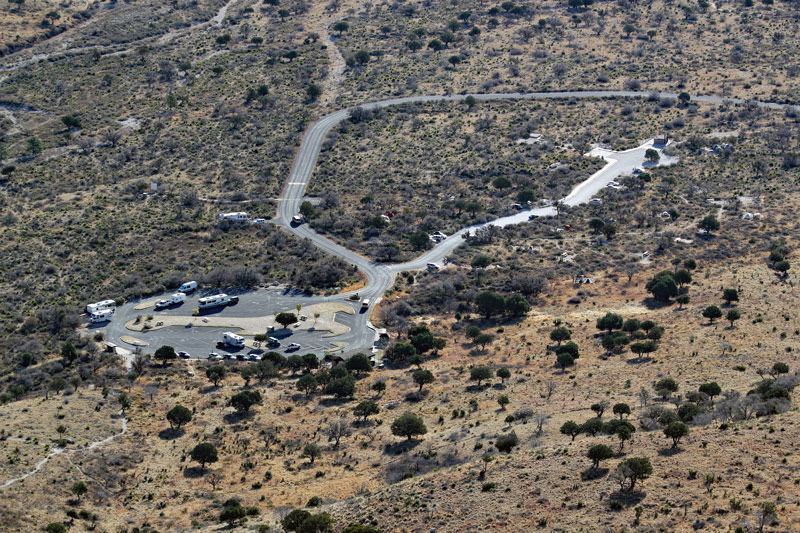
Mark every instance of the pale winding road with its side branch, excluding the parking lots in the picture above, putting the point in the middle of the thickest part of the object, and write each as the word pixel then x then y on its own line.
pixel 381 276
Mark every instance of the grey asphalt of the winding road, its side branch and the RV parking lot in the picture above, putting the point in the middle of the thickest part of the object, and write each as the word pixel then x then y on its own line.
pixel 381 276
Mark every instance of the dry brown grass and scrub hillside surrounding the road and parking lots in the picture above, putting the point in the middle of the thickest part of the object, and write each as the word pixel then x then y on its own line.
pixel 163 96
